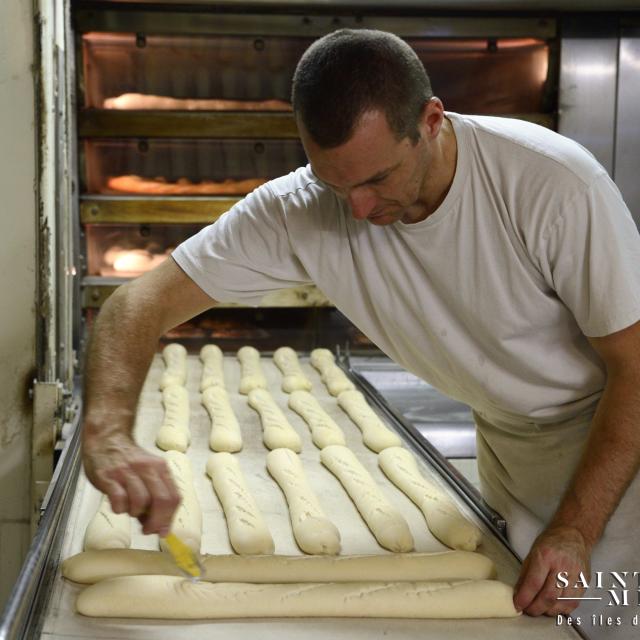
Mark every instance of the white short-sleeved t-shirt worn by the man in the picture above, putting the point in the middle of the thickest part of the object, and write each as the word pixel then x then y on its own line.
pixel 488 299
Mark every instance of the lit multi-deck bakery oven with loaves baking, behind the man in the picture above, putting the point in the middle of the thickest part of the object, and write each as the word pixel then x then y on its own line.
pixel 156 117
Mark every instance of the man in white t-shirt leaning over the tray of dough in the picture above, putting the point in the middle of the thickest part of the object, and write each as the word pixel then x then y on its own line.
pixel 493 258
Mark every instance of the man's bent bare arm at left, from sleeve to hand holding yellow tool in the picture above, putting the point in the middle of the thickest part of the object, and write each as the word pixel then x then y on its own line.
pixel 124 339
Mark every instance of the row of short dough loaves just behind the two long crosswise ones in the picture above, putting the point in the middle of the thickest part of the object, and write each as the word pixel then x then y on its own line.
pixel 313 531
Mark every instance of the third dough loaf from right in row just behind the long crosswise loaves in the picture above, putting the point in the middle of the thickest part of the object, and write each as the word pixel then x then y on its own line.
pixel 313 531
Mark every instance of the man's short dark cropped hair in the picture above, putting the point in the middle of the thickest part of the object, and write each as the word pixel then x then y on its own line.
pixel 348 72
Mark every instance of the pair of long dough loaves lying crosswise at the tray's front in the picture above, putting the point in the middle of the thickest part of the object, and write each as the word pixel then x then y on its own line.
pixel 143 584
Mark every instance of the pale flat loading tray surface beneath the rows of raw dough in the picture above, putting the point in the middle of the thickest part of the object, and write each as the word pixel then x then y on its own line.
pixel 56 614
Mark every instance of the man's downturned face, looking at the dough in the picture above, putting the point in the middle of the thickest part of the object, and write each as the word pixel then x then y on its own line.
pixel 379 176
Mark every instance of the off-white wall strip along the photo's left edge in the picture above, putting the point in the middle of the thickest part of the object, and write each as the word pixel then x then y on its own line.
pixel 17 281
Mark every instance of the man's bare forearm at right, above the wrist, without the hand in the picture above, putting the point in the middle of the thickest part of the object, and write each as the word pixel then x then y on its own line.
pixel 609 463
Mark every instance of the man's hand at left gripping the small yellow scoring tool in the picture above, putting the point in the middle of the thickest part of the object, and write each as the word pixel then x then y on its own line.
pixel 135 481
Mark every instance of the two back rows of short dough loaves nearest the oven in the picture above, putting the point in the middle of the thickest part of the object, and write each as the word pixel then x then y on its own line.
pixel 277 431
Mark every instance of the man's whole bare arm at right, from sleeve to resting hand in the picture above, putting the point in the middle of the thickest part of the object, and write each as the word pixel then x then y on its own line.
pixel 610 462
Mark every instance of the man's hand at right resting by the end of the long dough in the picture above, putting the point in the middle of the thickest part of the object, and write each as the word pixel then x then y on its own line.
pixel 557 549
